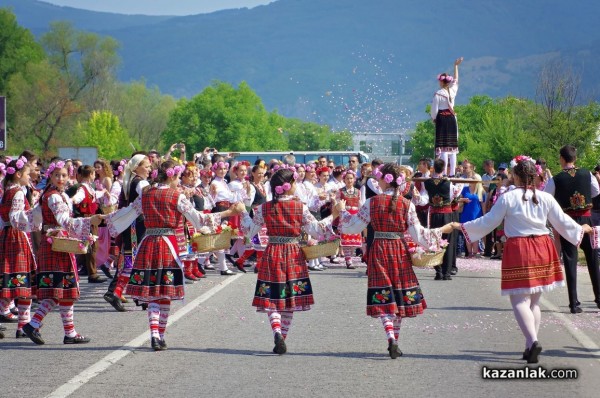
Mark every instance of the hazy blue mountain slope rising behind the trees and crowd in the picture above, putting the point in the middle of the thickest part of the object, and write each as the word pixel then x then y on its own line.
pixel 366 65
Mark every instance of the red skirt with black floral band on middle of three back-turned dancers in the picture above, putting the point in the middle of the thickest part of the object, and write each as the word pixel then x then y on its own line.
pixel 283 283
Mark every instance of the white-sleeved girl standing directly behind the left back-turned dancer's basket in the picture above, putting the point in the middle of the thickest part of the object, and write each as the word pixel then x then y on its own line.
pixel 223 197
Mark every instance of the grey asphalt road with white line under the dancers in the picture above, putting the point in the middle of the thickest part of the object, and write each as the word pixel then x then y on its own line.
pixel 219 346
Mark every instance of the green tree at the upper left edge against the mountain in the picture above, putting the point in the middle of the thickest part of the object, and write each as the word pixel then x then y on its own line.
pixel 17 47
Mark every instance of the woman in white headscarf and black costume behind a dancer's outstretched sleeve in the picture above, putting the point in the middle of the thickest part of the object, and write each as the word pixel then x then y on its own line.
pixel 135 179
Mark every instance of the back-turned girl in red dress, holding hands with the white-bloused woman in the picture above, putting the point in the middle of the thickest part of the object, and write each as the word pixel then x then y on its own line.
pixel 393 289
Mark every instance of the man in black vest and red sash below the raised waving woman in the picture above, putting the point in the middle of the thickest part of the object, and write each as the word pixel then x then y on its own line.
pixel 440 192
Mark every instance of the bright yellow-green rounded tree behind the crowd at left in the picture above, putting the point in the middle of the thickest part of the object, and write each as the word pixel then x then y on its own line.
pixel 103 130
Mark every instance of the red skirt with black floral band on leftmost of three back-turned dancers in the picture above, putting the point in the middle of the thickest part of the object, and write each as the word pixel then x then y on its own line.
pixel 156 273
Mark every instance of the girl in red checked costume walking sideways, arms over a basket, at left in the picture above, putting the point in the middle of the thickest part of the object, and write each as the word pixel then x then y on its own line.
pixel 57 279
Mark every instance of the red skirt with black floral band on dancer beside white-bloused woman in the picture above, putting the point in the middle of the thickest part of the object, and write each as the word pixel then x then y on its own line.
pixel 393 287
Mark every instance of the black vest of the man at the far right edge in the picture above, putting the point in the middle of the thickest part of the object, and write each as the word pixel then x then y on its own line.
pixel 573 189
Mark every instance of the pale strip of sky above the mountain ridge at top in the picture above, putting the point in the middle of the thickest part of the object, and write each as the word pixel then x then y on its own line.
pixel 159 7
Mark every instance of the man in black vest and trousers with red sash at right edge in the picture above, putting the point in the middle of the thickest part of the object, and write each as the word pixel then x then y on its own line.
pixel 574 189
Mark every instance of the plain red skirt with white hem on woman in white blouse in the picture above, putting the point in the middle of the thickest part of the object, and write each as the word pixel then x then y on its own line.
pixel 530 265
